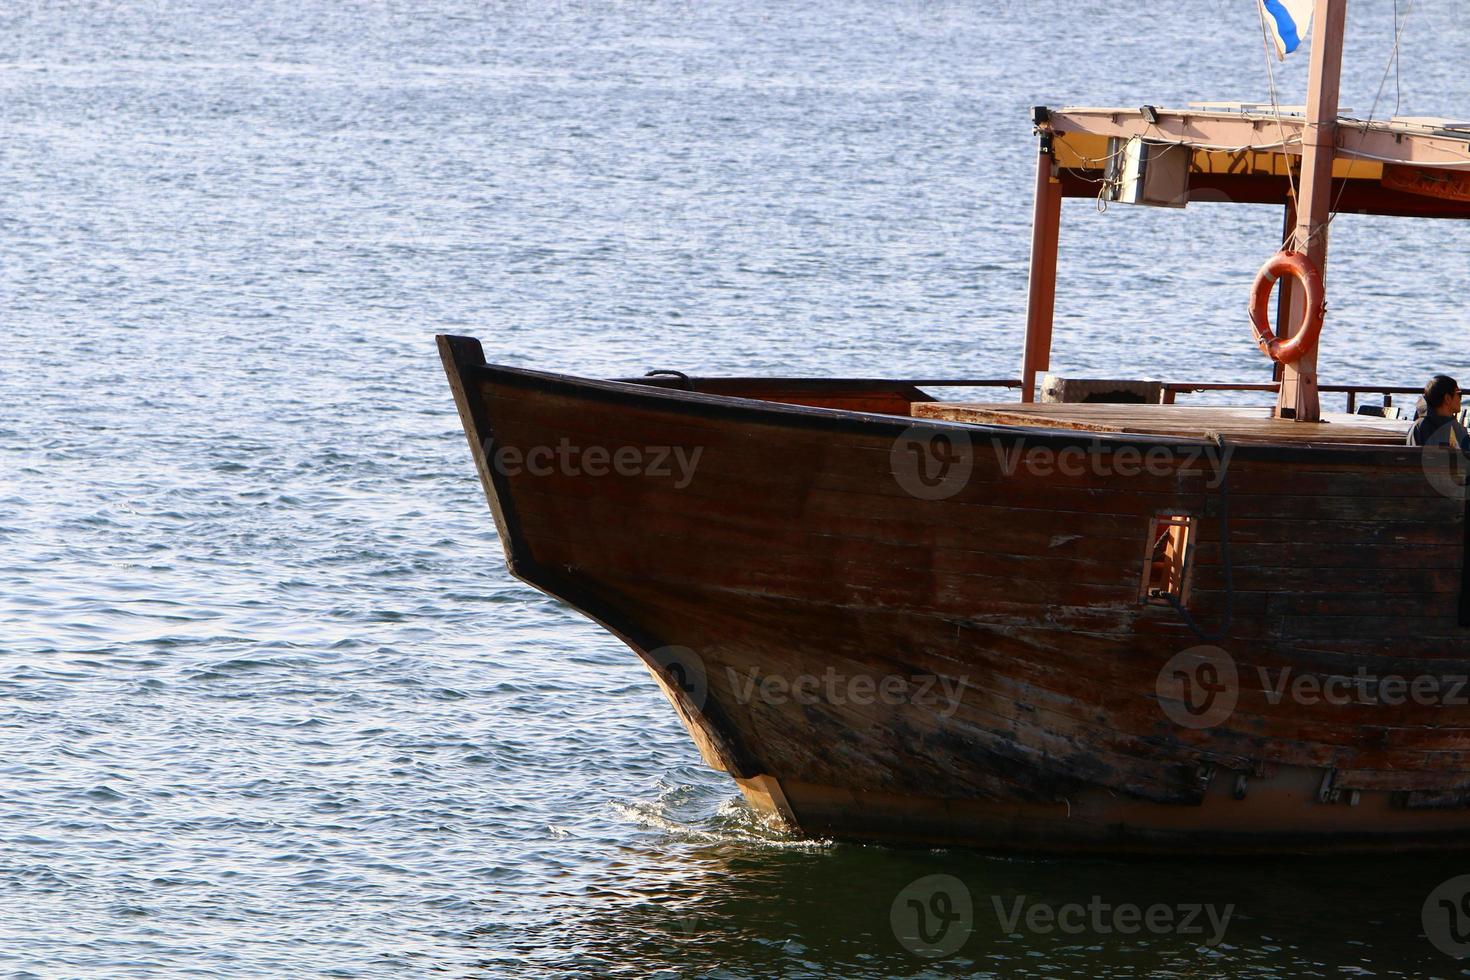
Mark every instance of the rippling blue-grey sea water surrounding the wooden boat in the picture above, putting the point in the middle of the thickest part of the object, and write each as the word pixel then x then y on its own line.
pixel 271 706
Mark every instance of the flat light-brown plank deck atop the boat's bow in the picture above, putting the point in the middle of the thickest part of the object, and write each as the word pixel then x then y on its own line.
pixel 1236 424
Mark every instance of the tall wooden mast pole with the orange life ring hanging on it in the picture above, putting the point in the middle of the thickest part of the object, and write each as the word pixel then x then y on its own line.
pixel 1299 392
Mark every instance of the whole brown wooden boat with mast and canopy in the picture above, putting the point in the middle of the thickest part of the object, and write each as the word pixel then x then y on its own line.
pixel 1100 627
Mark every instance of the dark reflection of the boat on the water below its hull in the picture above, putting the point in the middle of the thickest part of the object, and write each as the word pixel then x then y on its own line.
pixel 753 909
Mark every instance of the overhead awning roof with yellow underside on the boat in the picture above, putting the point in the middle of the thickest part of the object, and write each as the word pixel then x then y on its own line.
pixel 1241 154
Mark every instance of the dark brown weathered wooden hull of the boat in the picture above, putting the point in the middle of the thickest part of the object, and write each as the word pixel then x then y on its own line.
pixel 806 615
